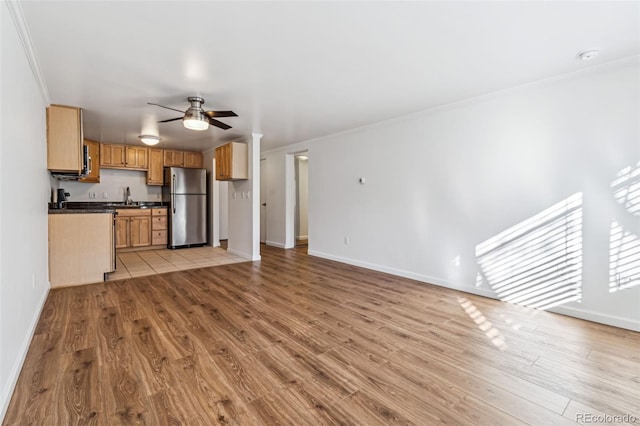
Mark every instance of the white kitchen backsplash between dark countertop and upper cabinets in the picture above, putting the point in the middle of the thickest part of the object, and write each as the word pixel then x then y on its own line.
pixel 113 183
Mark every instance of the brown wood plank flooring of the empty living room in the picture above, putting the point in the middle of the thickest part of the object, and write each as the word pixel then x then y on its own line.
pixel 305 341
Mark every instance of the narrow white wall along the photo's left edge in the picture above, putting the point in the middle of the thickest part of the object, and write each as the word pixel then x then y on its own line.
pixel 24 192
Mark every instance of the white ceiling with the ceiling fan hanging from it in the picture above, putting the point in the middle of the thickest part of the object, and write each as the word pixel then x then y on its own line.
pixel 300 70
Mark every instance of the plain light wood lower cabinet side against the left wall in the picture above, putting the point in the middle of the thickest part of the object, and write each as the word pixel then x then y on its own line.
pixel 80 248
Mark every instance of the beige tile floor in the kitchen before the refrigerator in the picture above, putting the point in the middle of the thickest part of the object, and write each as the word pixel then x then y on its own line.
pixel 151 262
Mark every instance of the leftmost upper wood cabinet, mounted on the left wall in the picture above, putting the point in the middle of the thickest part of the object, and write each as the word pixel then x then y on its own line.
pixel 64 139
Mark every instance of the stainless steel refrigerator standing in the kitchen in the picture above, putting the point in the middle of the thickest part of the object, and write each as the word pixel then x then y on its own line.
pixel 186 192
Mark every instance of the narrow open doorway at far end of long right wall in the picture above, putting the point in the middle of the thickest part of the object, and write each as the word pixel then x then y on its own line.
pixel 301 208
